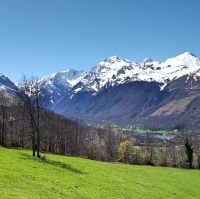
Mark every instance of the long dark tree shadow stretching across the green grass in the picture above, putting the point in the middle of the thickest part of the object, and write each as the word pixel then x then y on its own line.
pixel 52 162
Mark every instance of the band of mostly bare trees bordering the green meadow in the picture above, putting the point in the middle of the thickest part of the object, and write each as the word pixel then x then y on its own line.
pixel 24 123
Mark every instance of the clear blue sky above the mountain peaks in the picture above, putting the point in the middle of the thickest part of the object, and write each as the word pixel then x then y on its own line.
pixel 41 37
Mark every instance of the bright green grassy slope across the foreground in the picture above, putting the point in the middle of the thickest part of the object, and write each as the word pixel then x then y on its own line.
pixel 22 176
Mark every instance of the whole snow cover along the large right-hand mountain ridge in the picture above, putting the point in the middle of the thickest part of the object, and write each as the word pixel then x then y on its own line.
pixel 115 70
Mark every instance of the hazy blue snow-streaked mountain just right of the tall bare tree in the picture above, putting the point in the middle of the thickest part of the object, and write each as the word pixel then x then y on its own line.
pixel 59 84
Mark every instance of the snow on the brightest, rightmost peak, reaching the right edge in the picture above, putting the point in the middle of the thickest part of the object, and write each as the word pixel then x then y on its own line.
pixel 172 68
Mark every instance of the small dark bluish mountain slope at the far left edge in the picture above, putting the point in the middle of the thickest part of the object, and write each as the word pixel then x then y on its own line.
pixel 6 85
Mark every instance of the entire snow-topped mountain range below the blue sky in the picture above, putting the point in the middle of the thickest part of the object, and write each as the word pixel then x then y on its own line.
pixel 150 94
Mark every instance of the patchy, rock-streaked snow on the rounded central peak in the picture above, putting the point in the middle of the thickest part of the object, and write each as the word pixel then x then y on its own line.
pixel 112 71
